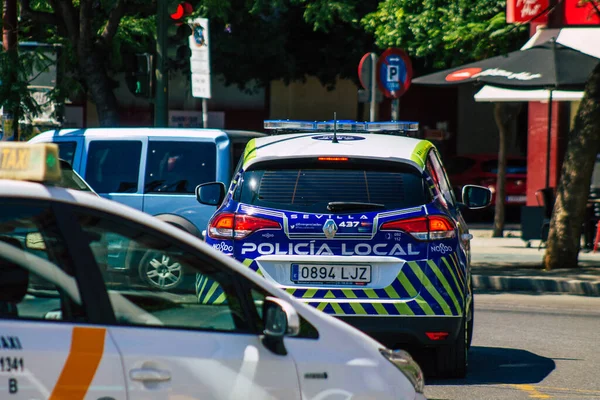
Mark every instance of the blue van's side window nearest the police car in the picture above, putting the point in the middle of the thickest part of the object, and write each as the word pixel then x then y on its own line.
pixel 178 167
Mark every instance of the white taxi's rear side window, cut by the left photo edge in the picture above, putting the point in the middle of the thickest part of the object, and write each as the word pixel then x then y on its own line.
pixel 40 286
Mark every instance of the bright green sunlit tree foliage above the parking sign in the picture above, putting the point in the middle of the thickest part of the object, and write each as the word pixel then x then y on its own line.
pixel 445 33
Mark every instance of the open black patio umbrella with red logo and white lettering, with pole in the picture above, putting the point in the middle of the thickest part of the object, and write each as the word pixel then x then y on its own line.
pixel 549 66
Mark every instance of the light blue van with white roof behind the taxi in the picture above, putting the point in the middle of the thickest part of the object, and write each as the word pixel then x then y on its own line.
pixel 155 170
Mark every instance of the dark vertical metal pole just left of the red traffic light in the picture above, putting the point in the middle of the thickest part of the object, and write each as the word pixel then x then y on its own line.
pixel 161 104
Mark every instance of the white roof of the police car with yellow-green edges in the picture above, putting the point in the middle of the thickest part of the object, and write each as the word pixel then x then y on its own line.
pixel 359 145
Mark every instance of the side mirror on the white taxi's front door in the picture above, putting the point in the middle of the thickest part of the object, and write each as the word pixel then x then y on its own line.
pixel 280 319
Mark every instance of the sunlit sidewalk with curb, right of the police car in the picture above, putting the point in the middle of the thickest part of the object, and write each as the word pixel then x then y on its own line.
pixel 507 265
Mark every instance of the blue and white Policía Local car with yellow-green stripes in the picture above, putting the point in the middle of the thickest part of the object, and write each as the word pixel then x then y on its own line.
pixel 358 220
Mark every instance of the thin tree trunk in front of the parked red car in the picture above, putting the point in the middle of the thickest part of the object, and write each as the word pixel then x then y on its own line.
pixel 504 115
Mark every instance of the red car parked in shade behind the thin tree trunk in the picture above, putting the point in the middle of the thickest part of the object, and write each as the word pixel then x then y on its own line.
pixel 481 169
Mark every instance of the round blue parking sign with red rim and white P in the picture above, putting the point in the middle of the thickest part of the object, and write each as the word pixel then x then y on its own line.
pixel 394 73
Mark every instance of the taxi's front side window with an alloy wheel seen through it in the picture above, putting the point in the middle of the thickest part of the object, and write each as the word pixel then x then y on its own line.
pixel 152 281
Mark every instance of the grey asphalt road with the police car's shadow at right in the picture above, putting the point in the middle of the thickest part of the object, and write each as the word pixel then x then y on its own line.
pixel 530 347
